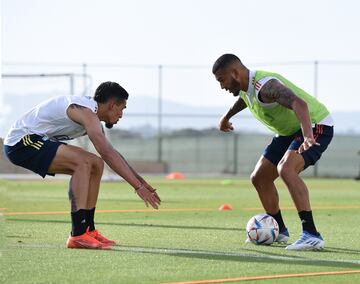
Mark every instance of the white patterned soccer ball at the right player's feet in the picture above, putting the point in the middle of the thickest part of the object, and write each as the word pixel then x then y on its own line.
pixel 262 229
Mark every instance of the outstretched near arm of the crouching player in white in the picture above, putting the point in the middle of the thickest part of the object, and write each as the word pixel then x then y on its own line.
pixel 116 162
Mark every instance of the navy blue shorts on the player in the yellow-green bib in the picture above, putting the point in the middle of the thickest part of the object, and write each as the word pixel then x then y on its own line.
pixel 280 144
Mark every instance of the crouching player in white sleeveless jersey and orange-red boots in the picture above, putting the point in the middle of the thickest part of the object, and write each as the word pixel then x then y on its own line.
pixel 34 142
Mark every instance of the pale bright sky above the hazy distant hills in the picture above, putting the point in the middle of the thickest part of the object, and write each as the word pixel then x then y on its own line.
pixel 190 32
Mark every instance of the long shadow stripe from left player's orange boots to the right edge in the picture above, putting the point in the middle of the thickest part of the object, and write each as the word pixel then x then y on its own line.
pixel 241 257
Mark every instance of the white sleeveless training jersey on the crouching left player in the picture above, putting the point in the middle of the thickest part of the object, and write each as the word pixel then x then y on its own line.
pixel 49 119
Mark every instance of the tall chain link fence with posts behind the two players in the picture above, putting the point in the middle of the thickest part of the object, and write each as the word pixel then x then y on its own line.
pixel 165 99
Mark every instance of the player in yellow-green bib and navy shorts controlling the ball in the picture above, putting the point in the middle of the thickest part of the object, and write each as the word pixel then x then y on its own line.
pixel 303 128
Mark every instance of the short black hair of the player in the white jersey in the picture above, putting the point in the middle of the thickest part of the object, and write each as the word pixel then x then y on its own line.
pixel 108 90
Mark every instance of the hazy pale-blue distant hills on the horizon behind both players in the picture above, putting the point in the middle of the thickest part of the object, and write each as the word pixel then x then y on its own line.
pixel 141 115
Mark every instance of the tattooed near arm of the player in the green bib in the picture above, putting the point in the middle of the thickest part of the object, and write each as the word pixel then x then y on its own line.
pixel 274 91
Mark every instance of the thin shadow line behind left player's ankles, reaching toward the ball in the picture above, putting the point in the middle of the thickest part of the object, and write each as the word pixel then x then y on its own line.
pixel 131 225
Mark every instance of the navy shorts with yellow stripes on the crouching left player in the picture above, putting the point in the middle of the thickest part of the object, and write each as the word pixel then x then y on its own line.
pixel 33 153
